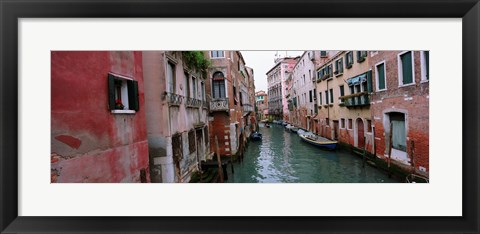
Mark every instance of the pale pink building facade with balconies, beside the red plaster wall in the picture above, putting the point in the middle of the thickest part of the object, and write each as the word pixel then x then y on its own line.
pixel 176 109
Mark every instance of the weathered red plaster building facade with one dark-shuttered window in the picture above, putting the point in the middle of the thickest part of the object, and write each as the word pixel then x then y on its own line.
pixel 98 130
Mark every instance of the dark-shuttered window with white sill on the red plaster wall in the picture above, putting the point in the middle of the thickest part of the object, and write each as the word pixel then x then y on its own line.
pixel 122 94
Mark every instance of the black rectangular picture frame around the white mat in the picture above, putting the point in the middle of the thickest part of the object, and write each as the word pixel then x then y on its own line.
pixel 11 11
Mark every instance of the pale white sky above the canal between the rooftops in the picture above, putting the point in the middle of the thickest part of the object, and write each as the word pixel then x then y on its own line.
pixel 262 62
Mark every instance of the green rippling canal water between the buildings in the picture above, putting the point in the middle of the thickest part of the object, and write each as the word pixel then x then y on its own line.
pixel 281 157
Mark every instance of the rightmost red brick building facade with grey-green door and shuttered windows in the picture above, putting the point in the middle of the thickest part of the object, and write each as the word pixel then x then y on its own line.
pixel 400 108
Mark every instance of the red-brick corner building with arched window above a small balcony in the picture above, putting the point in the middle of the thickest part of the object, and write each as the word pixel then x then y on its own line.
pixel 228 95
